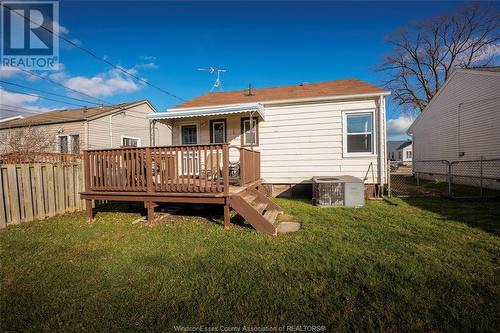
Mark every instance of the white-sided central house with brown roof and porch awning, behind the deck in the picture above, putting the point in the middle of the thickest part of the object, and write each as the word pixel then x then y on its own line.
pixel 313 129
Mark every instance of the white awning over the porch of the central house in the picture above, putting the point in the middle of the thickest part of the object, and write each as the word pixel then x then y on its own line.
pixel 204 112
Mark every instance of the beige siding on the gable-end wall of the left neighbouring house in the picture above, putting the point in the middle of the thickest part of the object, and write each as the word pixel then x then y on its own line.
pixel 107 132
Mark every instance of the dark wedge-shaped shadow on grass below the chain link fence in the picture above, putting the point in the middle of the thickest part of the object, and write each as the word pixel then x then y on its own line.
pixel 484 215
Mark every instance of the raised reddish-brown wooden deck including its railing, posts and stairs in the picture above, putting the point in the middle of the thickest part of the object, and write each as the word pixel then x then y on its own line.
pixel 179 174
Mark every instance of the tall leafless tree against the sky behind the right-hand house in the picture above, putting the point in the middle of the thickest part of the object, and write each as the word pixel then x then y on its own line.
pixel 424 56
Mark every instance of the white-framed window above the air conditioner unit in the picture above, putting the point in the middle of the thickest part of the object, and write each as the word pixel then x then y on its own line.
pixel 358 133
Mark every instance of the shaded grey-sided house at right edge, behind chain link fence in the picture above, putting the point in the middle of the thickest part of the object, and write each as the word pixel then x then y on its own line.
pixel 462 122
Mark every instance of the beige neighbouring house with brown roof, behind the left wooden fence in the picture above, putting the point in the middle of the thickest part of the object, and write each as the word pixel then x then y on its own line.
pixel 92 128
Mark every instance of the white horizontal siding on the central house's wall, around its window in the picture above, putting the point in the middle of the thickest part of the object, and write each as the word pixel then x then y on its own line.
pixel 298 142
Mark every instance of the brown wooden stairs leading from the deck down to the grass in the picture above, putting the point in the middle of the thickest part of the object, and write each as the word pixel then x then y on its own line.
pixel 257 209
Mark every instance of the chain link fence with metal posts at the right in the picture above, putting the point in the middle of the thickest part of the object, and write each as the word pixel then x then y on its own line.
pixel 452 179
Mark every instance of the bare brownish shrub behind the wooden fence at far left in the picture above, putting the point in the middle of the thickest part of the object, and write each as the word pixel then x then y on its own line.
pixel 27 141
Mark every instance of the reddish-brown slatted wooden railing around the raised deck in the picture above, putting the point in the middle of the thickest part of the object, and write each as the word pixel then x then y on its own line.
pixel 180 169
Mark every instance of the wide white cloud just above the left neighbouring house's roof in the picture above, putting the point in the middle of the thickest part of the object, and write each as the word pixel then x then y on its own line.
pixel 103 84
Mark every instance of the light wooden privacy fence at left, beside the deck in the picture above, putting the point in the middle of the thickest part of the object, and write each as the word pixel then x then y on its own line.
pixel 37 191
